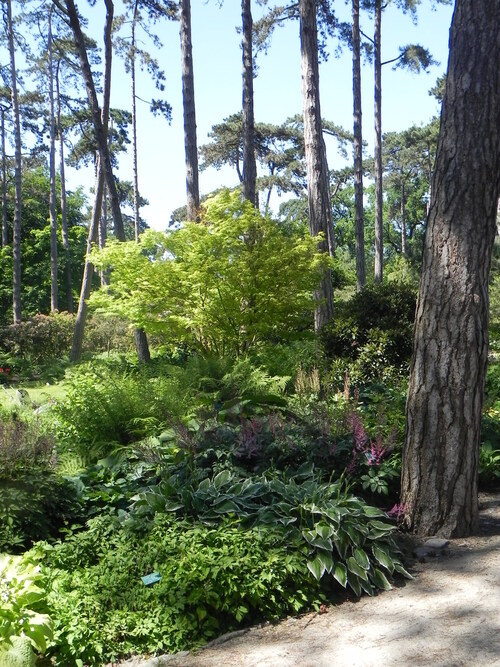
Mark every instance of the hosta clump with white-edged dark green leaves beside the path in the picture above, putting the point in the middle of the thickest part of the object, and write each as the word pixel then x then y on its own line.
pixel 334 527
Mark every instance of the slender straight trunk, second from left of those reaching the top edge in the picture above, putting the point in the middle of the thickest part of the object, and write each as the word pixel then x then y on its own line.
pixel 54 287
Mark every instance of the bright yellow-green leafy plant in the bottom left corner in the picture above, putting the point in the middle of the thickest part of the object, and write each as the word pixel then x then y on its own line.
pixel 22 610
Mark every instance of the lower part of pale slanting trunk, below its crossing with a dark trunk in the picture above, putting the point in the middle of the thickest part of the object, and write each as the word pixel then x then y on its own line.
pixel 88 271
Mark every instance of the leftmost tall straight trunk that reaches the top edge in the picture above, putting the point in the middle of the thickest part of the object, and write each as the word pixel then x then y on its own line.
pixel 16 242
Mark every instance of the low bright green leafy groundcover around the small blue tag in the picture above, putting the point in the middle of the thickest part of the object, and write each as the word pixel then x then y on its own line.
pixel 212 579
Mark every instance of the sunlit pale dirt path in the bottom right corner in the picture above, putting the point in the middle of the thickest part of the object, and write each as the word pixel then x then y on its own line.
pixel 448 616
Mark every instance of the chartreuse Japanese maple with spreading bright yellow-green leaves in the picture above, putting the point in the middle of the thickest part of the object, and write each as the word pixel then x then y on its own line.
pixel 223 285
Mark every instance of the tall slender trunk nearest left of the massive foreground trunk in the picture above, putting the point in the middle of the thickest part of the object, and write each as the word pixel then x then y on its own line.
pixel 379 224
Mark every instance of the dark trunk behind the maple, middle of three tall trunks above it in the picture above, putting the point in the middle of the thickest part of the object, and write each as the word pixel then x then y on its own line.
pixel 249 163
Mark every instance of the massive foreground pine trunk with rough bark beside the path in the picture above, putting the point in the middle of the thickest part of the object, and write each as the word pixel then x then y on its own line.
pixel 440 458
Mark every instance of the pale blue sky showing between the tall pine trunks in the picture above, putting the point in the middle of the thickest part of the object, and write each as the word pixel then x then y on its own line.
pixel 217 62
